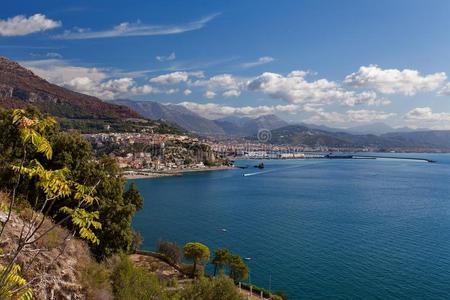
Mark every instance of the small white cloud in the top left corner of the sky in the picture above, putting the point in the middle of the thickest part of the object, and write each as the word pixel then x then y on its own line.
pixel 21 25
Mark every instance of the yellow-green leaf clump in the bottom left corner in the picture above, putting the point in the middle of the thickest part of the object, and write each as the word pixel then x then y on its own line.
pixel 14 286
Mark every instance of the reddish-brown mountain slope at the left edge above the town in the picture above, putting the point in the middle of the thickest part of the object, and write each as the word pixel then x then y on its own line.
pixel 20 87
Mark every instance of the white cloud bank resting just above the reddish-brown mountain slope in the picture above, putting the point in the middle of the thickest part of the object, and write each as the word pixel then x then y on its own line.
pixel 92 81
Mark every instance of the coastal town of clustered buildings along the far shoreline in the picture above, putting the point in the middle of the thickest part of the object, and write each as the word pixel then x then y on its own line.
pixel 148 154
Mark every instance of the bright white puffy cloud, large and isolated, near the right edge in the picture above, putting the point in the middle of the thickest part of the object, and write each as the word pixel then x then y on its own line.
pixel 393 81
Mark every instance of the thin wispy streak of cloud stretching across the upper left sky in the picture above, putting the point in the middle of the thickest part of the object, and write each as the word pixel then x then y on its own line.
pixel 136 29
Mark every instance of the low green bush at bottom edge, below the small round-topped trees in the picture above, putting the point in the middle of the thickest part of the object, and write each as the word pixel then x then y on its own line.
pixel 211 289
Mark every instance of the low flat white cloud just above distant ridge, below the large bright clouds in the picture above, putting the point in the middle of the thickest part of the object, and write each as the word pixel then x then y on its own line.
pixel 350 116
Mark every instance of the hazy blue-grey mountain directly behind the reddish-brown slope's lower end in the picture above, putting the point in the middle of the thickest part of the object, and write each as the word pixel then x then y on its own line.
pixel 175 114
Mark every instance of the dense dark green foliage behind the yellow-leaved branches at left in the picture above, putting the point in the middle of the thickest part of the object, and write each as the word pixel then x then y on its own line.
pixel 71 151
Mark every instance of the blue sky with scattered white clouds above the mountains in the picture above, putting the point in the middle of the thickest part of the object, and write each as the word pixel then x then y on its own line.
pixel 338 63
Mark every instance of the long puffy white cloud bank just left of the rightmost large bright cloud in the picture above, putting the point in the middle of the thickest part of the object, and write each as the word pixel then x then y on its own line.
pixel 294 88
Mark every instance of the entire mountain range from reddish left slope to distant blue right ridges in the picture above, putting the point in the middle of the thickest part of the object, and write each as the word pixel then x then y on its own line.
pixel 20 87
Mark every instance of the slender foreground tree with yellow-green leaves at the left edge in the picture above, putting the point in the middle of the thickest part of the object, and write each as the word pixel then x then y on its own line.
pixel 49 187
